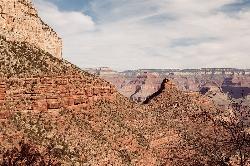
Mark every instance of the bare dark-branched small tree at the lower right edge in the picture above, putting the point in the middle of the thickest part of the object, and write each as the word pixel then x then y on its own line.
pixel 237 125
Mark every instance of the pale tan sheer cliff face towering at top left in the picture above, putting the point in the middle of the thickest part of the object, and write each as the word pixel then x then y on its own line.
pixel 19 21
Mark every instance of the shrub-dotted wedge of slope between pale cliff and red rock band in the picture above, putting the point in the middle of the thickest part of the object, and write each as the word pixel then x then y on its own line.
pixel 20 59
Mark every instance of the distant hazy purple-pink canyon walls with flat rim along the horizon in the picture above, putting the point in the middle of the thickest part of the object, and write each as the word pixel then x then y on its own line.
pixel 224 83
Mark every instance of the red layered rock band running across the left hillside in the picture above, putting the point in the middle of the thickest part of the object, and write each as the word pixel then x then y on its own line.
pixel 52 93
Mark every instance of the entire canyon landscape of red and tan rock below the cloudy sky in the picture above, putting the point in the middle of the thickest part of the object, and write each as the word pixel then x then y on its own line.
pixel 54 113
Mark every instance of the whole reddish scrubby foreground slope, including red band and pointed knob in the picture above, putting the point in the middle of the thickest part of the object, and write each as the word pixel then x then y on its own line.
pixel 81 119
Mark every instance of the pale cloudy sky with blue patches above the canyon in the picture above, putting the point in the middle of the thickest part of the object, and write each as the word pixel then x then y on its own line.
pixel 136 34
